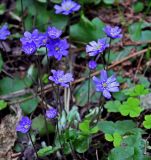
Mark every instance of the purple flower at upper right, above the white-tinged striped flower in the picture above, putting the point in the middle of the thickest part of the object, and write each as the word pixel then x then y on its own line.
pixel 113 32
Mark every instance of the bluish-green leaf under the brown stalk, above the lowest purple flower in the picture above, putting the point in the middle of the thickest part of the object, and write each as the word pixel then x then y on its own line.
pixel 29 106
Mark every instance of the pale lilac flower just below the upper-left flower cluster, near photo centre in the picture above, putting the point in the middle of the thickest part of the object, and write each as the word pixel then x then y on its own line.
pixel 60 78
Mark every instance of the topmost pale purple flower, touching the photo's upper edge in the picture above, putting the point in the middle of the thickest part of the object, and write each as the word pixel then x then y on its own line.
pixel 67 7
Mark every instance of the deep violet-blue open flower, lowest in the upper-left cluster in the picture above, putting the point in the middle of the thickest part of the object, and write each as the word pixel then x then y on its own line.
pixel 57 48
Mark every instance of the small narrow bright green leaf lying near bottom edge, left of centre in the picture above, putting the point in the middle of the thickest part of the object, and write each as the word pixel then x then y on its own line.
pixel 46 151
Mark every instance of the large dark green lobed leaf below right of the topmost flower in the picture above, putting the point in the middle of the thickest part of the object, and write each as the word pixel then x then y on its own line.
pixel 86 30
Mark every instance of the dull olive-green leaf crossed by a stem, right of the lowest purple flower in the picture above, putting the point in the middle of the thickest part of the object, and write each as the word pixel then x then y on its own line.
pixel 38 123
